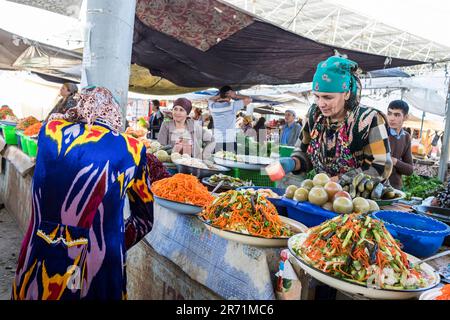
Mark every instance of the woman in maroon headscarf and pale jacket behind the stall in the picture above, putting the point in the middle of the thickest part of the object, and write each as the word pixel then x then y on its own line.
pixel 185 135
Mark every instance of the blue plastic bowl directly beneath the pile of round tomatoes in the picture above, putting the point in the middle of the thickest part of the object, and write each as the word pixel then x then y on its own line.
pixel 307 213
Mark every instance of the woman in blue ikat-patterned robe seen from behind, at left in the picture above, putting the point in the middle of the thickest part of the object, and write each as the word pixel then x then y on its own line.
pixel 76 243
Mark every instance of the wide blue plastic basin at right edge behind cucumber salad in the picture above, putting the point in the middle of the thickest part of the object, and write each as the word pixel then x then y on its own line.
pixel 420 235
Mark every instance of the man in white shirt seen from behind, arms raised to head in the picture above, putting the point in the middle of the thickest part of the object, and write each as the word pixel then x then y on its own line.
pixel 223 109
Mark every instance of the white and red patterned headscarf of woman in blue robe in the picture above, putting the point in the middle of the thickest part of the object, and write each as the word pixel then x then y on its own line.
pixel 94 104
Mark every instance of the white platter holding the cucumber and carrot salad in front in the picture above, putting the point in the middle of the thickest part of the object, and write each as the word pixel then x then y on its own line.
pixel 359 289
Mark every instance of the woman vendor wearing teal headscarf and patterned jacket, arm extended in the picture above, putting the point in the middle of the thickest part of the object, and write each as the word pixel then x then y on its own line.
pixel 340 136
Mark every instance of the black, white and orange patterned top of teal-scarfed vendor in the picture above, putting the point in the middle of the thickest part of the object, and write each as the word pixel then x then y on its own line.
pixel 364 134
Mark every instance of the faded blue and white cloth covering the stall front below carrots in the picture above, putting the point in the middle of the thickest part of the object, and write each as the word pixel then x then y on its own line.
pixel 230 269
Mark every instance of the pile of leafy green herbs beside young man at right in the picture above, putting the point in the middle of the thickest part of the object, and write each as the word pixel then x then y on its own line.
pixel 417 186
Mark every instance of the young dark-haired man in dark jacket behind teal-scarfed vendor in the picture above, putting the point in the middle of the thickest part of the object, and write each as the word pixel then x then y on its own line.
pixel 400 142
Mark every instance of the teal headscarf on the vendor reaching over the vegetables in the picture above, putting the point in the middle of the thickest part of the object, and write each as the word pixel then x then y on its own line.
pixel 335 75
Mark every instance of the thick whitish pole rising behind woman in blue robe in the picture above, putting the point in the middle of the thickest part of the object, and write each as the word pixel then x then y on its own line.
pixel 107 51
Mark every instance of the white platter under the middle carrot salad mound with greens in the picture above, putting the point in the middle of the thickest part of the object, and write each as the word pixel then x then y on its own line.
pixel 254 240
